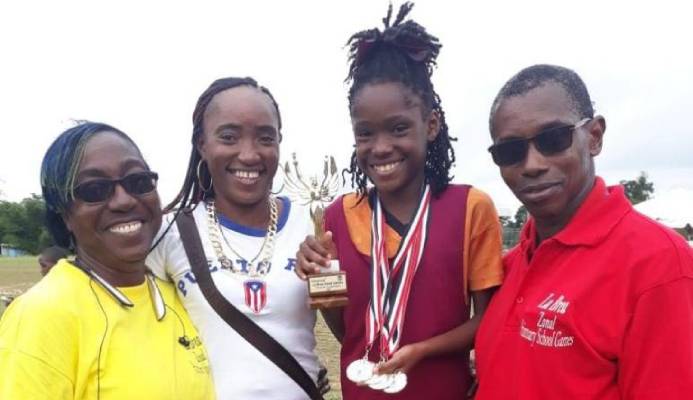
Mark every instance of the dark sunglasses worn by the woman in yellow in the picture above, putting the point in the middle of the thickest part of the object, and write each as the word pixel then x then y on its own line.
pixel 100 190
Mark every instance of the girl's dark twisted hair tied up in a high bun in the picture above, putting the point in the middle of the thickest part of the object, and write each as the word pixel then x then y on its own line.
pixel 403 52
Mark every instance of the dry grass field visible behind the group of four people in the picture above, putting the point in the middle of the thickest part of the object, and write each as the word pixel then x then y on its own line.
pixel 20 273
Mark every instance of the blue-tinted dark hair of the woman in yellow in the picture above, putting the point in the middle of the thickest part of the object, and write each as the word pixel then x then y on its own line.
pixel 59 170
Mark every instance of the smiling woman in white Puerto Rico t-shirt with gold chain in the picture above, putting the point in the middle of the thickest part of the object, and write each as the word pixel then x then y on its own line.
pixel 250 240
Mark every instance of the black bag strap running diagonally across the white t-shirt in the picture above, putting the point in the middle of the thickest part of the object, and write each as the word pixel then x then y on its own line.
pixel 245 327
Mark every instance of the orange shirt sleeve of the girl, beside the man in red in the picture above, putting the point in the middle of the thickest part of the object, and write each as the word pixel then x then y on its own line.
pixel 482 264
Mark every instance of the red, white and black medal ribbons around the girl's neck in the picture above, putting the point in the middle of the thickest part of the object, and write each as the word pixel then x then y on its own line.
pixel 391 283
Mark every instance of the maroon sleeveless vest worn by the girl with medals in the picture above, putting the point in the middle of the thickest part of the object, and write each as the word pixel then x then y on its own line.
pixel 436 303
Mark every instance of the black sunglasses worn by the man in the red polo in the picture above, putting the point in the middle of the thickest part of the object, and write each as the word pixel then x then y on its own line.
pixel 548 142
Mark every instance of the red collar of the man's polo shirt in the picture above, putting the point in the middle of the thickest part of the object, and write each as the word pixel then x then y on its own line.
pixel 599 213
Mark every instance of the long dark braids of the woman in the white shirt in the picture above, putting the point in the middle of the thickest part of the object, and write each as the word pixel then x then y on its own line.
pixel 192 191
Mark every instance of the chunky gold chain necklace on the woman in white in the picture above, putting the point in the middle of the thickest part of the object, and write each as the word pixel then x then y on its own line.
pixel 254 268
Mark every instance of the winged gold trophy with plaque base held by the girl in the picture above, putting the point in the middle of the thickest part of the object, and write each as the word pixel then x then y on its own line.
pixel 326 289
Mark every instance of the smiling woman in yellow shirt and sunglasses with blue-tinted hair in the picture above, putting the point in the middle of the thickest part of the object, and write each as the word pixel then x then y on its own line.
pixel 101 326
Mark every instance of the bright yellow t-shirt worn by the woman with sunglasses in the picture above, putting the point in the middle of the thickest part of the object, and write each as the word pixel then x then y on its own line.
pixel 69 338
